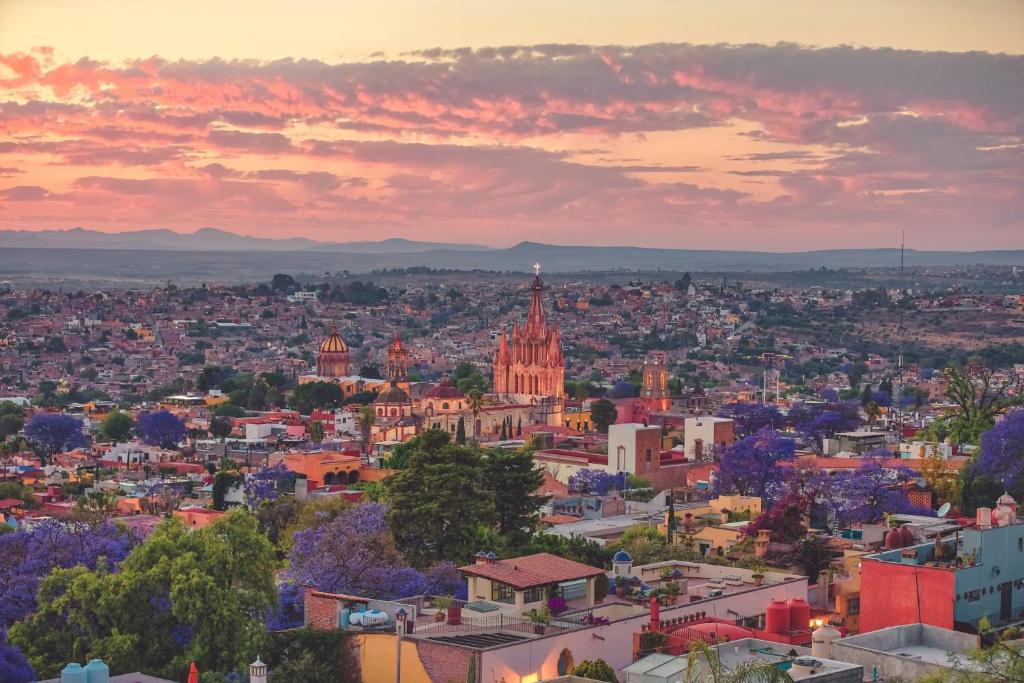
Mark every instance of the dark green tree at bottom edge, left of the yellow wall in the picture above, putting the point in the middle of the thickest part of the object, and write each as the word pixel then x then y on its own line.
pixel 313 656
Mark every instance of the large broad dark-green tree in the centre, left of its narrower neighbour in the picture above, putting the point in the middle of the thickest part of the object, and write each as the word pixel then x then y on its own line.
pixel 437 504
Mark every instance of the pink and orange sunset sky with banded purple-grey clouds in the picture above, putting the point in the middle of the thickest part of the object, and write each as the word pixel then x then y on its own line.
pixel 703 124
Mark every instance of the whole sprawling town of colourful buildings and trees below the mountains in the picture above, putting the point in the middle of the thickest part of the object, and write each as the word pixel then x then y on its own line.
pixel 425 476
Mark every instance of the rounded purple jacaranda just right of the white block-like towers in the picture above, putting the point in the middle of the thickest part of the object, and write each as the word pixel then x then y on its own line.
pixel 753 466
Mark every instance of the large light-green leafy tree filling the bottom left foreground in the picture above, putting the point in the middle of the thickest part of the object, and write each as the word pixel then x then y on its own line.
pixel 211 586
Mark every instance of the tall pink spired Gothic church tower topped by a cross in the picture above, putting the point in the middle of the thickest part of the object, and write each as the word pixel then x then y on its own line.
pixel 531 368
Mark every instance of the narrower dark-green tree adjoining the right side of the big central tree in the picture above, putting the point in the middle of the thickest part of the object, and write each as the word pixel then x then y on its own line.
pixel 514 478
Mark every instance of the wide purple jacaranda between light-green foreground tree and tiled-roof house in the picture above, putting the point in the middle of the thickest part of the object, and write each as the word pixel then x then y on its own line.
pixel 355 553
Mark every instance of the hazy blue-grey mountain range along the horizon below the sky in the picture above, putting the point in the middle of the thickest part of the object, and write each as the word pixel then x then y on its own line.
pixel 222 257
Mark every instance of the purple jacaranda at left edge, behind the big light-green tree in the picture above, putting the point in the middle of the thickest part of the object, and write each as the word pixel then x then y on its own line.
pixel 27 557
